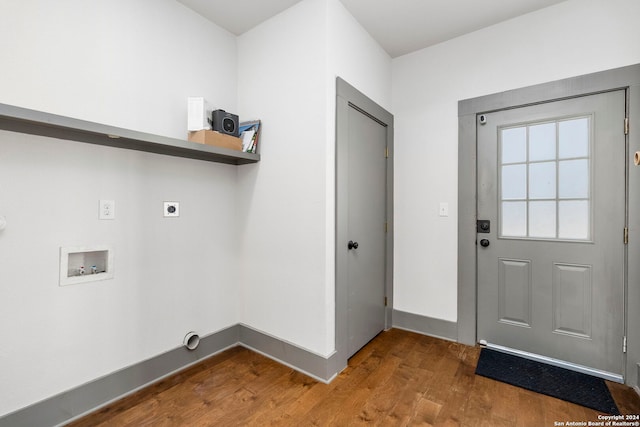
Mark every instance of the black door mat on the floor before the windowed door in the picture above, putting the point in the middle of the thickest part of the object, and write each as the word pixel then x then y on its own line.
pixel 574 387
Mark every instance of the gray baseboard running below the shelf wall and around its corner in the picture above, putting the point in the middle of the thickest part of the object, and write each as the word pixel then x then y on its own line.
pixel 77 402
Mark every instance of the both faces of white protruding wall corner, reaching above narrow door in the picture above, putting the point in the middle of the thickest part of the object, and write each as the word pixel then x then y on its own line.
pixel 287 70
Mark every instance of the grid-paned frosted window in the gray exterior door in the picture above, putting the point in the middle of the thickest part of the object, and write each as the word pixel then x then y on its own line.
pixel 545 180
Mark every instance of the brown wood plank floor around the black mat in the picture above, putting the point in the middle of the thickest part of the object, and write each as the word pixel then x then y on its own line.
pixel 399 379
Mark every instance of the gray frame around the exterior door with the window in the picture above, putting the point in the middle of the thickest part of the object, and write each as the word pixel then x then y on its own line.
pixel 627 78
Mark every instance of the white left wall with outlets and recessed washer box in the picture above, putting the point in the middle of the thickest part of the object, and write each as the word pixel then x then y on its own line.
pixel 128 64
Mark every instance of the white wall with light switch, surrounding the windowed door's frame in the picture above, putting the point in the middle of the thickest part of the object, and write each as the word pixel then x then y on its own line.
pixel 570 39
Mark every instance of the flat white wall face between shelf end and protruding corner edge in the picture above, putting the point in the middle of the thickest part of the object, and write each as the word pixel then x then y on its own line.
pixel 281 66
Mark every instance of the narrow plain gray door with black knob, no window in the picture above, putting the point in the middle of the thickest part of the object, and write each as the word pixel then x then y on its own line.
pixel 365 228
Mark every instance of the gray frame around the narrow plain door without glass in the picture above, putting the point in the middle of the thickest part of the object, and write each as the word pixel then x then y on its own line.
pixel 349 97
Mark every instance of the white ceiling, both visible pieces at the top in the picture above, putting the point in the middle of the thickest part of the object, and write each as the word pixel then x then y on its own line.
pixel 399 26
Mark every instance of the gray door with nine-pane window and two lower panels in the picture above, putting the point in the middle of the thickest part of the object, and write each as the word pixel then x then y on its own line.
pixel 551 263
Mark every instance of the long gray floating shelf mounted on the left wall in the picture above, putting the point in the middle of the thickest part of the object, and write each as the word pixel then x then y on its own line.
pixel 17 119
